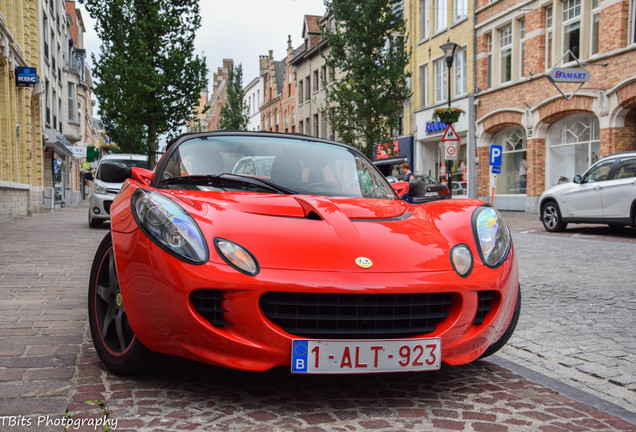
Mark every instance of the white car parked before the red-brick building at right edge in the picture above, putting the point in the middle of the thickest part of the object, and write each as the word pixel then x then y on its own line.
pixel 604 194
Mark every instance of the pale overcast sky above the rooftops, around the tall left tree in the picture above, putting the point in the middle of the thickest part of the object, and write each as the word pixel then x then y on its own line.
pixel 239 29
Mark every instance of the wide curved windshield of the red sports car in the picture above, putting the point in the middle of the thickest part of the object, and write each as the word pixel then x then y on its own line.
pixel 271 164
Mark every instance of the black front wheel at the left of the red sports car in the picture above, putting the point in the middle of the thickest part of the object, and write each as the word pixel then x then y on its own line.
pixel 114 340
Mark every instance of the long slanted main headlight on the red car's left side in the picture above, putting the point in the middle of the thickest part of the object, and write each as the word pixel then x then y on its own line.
pixel 168 225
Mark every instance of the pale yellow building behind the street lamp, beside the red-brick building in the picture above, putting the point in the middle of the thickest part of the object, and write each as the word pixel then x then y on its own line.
pixel 431 23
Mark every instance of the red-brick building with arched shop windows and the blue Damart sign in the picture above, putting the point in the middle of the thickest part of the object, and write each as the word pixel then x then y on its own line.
pixel 551 133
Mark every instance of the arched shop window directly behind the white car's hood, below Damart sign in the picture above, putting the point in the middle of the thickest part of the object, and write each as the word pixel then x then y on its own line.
pixel 573 146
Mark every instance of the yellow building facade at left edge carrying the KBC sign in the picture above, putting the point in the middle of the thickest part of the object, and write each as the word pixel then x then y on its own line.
pixel 21 157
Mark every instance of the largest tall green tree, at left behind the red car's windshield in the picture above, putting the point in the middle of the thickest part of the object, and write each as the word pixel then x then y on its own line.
pixel 147 78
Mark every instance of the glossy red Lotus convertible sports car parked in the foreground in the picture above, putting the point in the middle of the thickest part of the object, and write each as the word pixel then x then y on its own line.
pixel 311 263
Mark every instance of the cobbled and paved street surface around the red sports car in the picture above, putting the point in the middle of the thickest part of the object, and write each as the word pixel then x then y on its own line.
pixel 48 364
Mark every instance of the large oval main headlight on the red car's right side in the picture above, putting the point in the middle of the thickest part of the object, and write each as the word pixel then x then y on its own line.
pixel 491 235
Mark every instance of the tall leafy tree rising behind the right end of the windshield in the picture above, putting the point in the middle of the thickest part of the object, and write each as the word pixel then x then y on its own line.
pixel 367 48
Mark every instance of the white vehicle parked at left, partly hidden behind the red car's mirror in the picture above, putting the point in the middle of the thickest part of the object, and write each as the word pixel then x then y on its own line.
pixel 102 193
